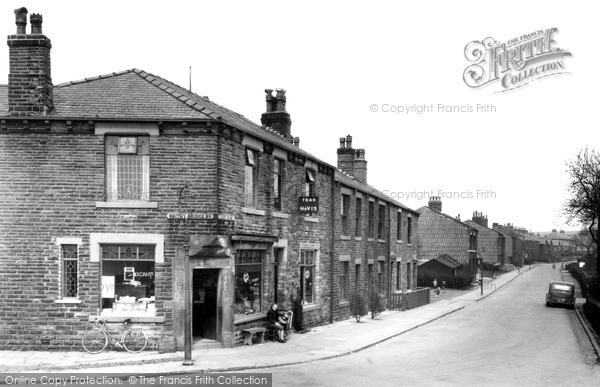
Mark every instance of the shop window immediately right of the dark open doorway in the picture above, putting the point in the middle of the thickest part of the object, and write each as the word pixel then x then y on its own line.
pixel 248 281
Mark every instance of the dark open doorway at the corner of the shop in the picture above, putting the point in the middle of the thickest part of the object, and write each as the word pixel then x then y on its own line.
pixel 204 303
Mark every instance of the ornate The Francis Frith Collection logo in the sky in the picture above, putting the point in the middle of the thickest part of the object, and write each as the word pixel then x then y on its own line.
pixel 516 62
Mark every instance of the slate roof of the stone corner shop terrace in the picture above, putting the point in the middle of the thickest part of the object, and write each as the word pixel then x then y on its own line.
pixel 138 95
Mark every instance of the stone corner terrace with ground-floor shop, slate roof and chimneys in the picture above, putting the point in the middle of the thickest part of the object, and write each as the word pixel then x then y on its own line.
pixel 108 184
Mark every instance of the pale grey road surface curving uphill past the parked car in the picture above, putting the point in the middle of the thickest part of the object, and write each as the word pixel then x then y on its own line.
pixel 509 338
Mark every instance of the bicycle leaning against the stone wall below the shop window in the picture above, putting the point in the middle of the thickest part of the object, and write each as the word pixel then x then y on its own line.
pixel 96 339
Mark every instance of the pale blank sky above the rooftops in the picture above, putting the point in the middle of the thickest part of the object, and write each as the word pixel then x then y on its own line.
pixel 356 68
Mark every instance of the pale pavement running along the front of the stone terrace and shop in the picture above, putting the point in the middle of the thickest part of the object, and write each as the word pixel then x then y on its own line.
pixel 320 343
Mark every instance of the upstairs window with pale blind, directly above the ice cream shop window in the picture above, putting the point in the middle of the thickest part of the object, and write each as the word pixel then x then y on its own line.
pixel 127 168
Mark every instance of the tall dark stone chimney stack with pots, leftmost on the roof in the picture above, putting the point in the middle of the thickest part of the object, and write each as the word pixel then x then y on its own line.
pixel 29 78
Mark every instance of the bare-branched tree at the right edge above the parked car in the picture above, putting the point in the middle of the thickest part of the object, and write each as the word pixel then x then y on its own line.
pixel 583 204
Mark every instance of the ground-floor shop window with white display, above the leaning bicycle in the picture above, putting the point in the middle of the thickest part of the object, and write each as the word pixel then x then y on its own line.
pixel 128 280
